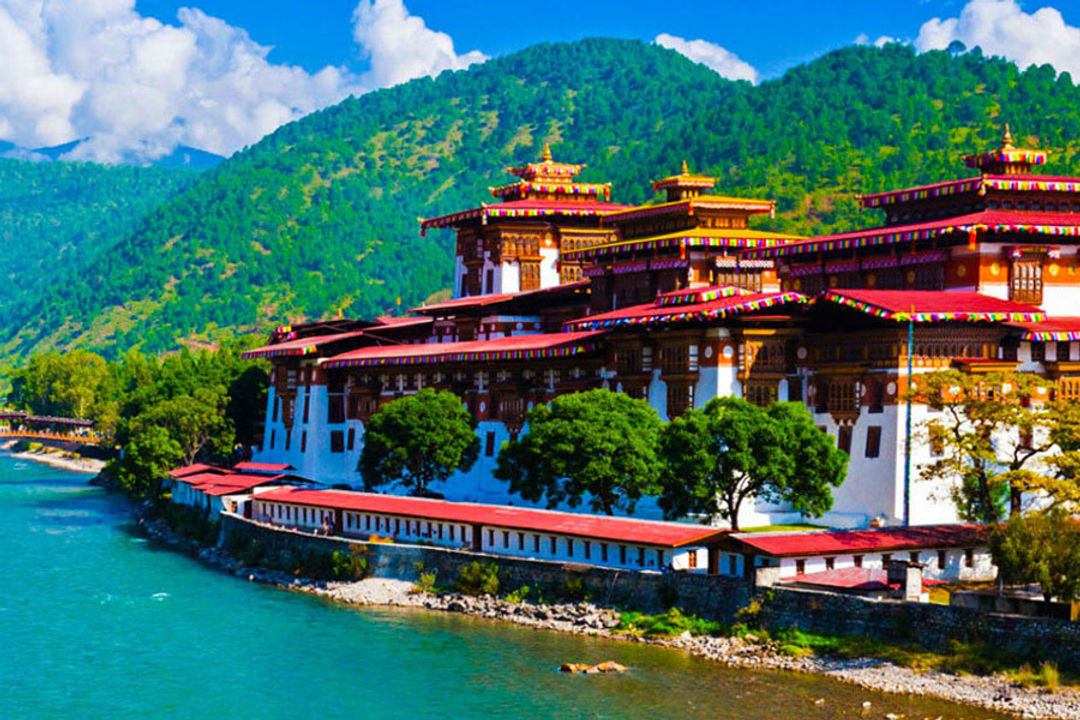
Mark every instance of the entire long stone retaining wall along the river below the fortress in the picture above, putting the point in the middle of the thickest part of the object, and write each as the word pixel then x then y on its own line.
pixel 712 597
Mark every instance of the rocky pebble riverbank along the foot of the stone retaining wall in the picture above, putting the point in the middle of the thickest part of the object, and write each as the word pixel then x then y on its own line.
pixel 993 692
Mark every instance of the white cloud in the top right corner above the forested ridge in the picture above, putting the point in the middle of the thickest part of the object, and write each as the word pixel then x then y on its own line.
pixel 1001 28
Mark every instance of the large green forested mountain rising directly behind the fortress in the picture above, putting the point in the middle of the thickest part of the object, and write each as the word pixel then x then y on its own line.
pixel 319 219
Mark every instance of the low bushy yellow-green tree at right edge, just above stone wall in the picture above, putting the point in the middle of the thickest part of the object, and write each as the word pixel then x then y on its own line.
pixel 1042 549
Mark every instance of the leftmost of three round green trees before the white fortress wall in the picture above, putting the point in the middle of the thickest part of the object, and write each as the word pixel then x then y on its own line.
pixel 417 441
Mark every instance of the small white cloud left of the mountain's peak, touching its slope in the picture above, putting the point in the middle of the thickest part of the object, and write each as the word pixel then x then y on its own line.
pixel 401 47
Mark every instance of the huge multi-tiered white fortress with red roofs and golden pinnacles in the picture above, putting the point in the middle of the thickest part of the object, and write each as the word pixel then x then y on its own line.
pixel 678 302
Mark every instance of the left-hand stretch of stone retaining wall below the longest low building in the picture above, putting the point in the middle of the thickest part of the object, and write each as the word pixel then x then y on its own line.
pixel 713 597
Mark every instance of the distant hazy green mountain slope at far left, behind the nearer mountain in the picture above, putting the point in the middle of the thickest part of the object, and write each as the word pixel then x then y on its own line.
pixel 57 216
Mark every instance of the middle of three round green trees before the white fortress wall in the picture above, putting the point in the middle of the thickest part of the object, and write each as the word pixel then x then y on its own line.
pixel 598 444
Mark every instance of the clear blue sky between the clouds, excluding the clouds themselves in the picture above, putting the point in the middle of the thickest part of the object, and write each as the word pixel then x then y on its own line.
pixel 772 36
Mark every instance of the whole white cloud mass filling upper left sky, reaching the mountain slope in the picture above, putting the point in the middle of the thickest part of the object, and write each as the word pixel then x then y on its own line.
pixel 139 88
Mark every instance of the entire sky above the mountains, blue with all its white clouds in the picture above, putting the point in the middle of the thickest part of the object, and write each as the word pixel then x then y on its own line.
pixel 141 77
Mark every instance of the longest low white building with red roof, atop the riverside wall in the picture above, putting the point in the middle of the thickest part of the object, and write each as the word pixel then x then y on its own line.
pixel 614 542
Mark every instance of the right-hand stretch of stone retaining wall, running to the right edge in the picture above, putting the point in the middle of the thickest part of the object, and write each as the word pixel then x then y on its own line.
pixel 930 626
